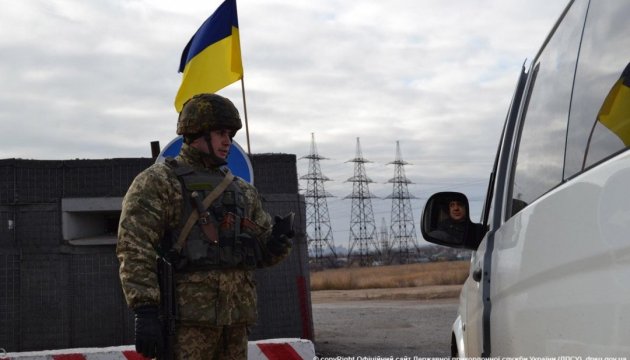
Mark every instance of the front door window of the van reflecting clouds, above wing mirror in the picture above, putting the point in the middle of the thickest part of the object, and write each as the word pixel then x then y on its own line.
pixel 540 151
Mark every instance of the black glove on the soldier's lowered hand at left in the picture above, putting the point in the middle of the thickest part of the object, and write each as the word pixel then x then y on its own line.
pixel 149 340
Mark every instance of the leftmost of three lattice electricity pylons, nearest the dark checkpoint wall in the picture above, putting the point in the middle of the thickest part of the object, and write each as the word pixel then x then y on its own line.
pixel 318 229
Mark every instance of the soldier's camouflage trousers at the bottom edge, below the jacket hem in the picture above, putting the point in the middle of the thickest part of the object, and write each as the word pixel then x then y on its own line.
pixel 211 343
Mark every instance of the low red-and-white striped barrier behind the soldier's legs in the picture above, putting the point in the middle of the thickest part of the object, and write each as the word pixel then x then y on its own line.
pixel 272 349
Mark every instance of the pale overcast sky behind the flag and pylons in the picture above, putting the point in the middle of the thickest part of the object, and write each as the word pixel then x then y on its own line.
pixel 97 79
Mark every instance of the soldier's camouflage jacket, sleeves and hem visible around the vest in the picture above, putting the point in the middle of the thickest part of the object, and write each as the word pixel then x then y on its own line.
pixel 153 205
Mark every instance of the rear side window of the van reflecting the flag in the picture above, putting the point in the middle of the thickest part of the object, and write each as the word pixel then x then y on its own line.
pixel 599 124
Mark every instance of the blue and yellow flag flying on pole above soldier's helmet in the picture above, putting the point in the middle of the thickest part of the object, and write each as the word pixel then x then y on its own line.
pixel 212 58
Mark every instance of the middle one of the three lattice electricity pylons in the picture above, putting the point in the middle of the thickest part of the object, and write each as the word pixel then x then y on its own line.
pixel 362 227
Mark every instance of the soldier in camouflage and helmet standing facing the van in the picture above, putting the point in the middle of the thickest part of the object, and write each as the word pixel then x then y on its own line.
pixel 213 245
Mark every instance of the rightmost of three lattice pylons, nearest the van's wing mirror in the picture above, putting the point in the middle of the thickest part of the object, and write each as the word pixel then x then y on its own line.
pixel 403 230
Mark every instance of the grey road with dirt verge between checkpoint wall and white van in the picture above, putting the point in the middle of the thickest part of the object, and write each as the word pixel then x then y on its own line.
pixel 385 322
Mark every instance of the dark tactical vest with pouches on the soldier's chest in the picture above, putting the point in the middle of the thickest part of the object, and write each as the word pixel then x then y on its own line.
pixel 221 238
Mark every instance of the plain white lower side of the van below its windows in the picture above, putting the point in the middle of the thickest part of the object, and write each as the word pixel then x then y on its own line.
pixel 562 267
